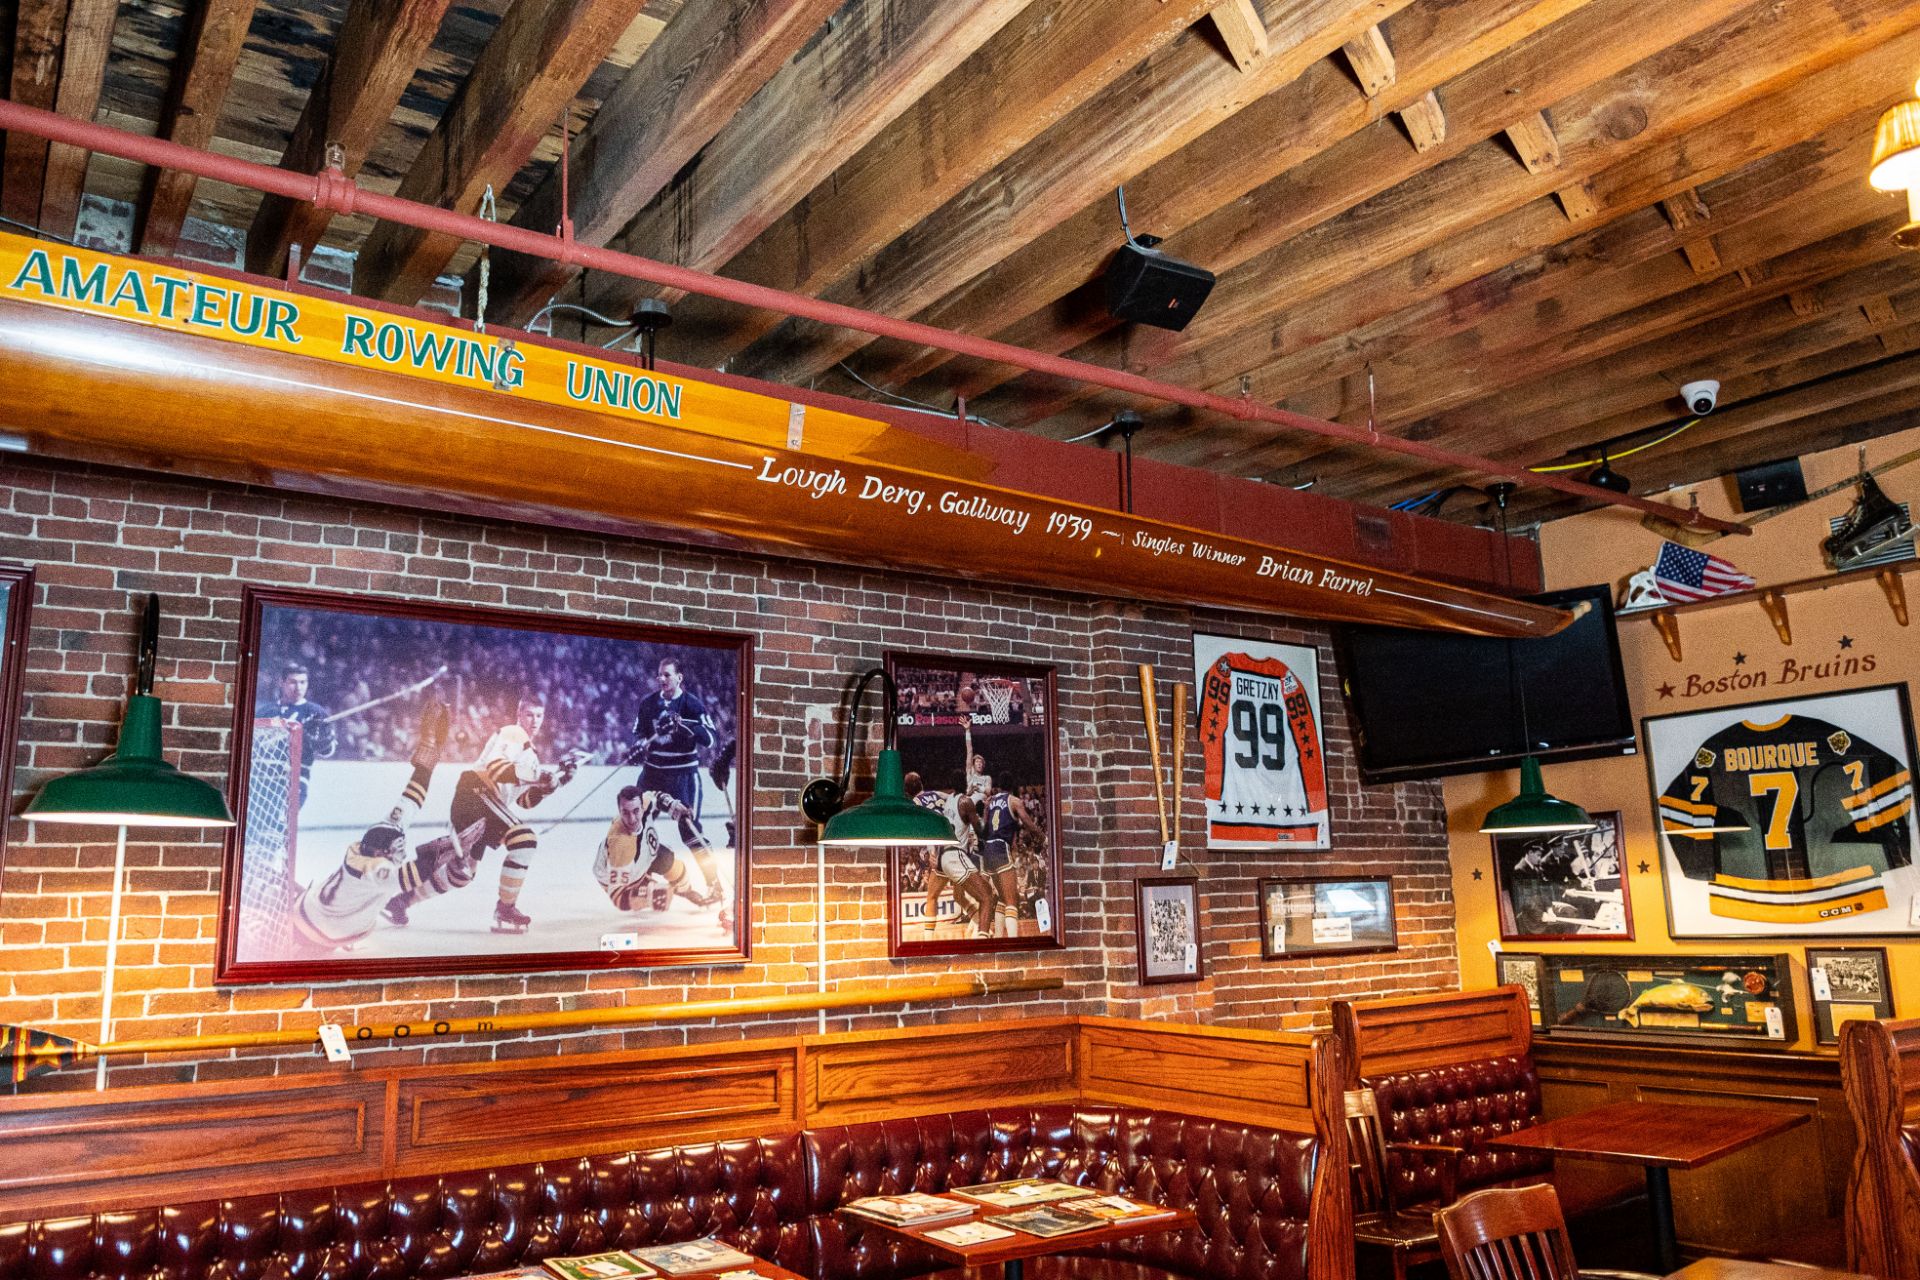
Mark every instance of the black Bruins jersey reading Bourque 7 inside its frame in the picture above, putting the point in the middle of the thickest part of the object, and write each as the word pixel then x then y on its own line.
pixel 1790 822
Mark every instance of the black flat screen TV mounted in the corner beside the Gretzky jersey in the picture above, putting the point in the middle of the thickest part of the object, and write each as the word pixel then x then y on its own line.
pixel 1435 703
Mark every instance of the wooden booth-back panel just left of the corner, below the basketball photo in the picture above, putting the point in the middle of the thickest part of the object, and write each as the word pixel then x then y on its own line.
pixel 873 1076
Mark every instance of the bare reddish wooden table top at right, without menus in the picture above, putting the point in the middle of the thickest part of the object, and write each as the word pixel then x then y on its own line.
pixel 1669 1135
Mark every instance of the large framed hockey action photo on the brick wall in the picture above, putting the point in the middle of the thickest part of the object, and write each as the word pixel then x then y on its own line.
pixel 448 790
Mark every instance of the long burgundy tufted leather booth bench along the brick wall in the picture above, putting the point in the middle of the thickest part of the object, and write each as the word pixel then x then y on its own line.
pixel 773 1197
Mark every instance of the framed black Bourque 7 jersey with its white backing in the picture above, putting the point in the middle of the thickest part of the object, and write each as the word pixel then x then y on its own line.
pixel 1788 818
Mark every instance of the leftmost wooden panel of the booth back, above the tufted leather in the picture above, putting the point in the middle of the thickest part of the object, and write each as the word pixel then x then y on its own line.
pixel 172 1143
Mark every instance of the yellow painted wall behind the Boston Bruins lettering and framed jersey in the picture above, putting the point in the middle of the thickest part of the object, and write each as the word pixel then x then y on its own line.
pixel 1608 546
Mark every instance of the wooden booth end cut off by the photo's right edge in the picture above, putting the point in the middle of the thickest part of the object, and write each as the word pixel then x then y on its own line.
pixel 1881 1072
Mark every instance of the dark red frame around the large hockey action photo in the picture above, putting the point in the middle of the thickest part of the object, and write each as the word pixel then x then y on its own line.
pixel 592 955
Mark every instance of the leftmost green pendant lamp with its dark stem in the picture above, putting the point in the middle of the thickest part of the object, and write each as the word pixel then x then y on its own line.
pixel 135 786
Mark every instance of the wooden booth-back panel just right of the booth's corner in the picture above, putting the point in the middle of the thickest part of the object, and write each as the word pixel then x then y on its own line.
pixel 1259 1078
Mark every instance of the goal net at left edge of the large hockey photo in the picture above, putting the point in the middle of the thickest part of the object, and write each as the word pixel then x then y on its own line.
pixel 268 886
